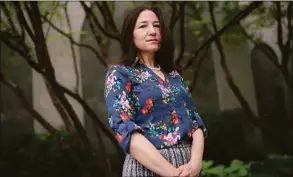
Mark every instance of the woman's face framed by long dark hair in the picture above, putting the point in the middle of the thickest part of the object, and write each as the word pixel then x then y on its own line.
pixel 146 33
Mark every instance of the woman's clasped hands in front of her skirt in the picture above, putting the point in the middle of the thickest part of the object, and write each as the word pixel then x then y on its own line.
pixel 190 169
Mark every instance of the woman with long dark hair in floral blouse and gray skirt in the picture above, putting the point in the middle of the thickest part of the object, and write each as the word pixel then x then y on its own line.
pixel 150 109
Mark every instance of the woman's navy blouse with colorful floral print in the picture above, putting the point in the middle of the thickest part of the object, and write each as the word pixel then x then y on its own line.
pixel 137 99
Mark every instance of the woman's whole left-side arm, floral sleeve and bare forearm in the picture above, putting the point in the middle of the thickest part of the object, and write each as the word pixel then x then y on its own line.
pixel 121 111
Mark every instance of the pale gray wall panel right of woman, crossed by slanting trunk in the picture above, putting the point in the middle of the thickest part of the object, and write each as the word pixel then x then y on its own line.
pixel 238 62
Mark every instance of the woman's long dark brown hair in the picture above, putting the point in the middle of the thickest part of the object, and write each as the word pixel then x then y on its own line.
pixel 164 56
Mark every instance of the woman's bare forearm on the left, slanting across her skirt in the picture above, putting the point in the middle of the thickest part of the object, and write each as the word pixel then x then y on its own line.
pixel 145 153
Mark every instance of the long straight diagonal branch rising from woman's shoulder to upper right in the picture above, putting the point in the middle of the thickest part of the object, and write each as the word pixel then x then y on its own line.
pixel 238 17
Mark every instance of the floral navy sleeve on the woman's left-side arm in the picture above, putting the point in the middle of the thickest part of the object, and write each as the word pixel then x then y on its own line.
pixel 120 105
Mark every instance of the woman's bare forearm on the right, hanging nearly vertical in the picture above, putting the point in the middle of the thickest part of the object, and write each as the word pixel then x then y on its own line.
pixel 197 146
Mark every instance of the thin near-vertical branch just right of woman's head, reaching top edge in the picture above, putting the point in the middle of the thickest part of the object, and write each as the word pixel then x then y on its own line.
pixel 182 34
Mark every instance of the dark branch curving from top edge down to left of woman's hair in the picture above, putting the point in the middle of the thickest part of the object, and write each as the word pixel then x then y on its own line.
pixel 96 21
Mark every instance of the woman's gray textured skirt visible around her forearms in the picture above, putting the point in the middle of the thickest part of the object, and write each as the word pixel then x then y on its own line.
pixel 177 155
